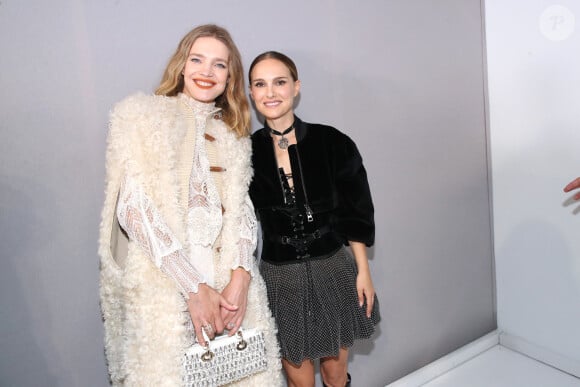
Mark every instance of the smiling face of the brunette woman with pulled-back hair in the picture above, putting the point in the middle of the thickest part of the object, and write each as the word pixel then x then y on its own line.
pixel 273 89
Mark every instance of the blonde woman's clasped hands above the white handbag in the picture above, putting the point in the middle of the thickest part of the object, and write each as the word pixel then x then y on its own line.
pixel 213 312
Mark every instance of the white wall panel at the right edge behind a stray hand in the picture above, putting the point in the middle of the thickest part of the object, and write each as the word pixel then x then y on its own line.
pixel 533 52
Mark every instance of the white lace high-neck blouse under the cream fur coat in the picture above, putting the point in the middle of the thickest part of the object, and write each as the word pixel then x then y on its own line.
pixel 144 224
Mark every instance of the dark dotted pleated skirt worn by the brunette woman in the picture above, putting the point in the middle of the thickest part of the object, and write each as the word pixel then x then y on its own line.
pixel 315 305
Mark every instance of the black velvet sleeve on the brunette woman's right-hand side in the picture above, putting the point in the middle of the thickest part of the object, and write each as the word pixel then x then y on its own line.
pixel 355 214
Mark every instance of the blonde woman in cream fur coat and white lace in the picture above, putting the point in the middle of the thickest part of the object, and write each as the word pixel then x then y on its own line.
pixel 178 229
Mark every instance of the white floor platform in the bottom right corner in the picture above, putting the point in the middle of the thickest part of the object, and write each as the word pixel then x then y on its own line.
pixel 502 367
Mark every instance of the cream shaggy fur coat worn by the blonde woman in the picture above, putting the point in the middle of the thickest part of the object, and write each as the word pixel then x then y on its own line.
pixel 144 313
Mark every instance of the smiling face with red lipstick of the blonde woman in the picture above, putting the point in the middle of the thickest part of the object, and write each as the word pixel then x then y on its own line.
pixel 206 69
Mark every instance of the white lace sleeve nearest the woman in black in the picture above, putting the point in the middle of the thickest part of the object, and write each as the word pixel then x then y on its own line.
pixel 248 237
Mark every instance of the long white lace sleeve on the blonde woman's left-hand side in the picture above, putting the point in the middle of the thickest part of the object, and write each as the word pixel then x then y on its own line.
pixel 143 223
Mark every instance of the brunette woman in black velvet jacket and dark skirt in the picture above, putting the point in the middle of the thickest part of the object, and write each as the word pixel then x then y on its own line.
pixel 311 193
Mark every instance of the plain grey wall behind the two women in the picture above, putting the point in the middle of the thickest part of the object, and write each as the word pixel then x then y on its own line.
pixel 403 78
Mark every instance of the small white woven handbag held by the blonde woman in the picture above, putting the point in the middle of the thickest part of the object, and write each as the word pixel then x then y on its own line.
pixel 225 359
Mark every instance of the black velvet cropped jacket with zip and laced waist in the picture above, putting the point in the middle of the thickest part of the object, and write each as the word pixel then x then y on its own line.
pixel 332 203
